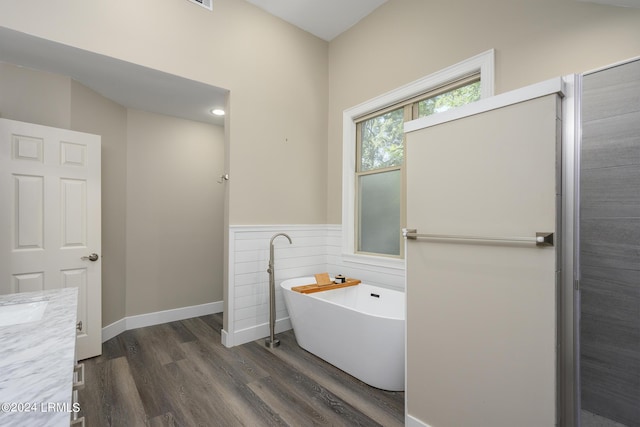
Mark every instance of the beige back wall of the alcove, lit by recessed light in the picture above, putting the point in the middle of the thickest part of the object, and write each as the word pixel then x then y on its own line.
pixel 174 213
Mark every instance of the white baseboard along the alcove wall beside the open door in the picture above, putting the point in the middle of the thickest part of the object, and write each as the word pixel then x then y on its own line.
pixel 159 317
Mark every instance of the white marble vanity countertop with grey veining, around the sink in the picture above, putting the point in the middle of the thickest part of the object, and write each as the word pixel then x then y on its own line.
pixel 37 360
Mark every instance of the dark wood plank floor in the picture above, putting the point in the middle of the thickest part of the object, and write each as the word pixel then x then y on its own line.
pixel 180 374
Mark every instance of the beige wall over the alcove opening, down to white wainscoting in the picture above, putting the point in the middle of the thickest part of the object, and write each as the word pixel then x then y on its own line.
pixel 277 75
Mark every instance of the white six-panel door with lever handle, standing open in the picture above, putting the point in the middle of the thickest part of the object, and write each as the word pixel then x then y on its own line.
pixel 50 218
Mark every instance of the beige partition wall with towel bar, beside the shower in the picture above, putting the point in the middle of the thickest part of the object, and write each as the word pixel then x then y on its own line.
pixel 481 315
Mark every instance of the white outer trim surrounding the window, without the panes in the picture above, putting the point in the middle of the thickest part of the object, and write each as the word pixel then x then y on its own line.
pixel 482 64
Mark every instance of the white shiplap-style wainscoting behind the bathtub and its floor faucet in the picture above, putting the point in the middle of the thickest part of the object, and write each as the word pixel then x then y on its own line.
pixel 315 249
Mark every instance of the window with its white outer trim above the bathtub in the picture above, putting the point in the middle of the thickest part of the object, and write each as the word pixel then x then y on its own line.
pixel 373 156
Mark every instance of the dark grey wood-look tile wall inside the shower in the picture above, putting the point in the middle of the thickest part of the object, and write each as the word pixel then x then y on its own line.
pixel 610 244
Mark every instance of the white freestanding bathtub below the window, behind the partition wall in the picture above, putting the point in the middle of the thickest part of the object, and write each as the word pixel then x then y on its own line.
pixel 359 329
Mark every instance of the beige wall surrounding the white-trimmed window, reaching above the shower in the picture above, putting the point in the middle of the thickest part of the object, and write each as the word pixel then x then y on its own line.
pixel 534 41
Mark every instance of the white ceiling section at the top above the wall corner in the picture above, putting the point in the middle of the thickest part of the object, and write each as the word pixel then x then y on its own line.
pixel 325 19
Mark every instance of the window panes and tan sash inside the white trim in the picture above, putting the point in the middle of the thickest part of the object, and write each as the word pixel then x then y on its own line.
pixel 380 160
